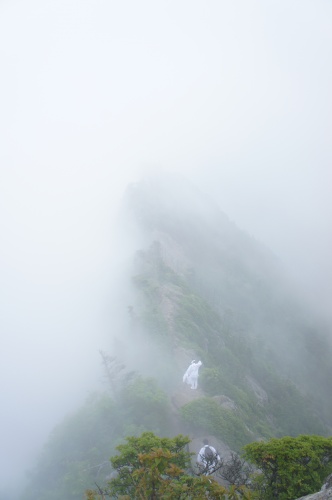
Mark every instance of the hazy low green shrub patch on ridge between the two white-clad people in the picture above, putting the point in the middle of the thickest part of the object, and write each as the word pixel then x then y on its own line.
pixel 206 414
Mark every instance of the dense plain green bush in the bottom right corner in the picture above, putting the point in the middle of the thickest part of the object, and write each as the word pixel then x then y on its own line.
pixel 290 467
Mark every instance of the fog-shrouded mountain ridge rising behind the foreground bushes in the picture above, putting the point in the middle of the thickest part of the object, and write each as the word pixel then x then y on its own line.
pixel 199 288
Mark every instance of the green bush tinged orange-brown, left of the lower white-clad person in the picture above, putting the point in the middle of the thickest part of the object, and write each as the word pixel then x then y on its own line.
pixel 149 467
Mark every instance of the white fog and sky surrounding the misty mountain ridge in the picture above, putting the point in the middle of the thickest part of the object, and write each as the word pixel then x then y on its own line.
pixel 234 95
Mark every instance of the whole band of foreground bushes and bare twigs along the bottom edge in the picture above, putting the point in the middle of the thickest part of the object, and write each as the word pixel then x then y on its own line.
pixel 150 467
